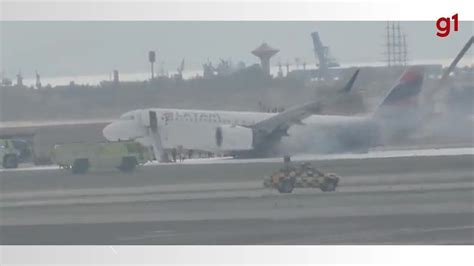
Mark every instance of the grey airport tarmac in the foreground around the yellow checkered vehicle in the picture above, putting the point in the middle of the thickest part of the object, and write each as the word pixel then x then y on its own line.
pixel 402 200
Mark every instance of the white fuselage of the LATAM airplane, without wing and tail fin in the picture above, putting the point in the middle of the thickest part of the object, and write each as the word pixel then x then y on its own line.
pixel 196 129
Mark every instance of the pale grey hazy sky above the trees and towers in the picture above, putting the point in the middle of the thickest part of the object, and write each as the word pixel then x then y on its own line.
pixel 78 48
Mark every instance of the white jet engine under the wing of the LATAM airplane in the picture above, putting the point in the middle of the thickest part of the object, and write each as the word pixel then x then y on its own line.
pixel 234 138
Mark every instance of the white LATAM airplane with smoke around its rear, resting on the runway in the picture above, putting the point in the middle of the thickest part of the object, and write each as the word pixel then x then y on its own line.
pixel 255 134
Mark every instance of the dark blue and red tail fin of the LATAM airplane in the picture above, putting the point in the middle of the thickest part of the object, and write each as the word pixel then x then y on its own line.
pixel 404 95
